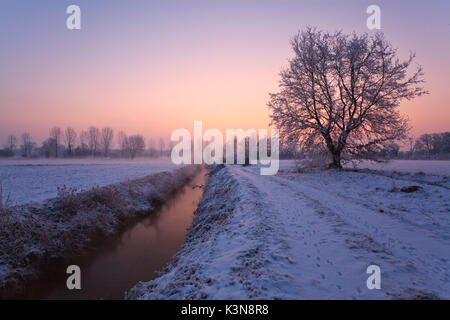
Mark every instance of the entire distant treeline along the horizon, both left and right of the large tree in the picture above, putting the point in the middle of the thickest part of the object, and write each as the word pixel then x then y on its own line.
pixel 104 143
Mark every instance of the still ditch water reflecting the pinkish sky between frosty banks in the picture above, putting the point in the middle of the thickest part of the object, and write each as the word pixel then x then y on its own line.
pixel 136 255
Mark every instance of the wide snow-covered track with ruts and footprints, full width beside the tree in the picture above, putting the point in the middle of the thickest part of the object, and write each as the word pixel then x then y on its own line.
pixel 320 226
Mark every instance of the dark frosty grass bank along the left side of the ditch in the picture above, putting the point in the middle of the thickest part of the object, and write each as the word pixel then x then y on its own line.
pixel 35 235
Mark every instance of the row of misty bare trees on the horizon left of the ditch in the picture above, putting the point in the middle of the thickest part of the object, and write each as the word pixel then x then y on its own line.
pixel 93 142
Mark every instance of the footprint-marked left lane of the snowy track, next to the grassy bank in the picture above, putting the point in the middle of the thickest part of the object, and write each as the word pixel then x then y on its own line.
pixel 319 268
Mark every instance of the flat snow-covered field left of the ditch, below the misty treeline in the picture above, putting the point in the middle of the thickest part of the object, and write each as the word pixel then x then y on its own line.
pixel 37 180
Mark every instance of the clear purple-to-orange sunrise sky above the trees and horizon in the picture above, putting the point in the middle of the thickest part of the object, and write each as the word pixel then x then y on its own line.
pixel 151 67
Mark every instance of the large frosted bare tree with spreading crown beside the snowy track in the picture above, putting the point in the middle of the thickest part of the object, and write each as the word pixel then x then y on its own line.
pixel 343 91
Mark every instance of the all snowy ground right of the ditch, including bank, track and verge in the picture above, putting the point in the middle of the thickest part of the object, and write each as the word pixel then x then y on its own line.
pixel 312 234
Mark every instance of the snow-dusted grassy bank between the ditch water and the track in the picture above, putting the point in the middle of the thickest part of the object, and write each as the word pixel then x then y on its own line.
pixel 224 256
